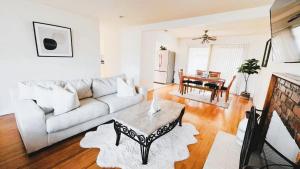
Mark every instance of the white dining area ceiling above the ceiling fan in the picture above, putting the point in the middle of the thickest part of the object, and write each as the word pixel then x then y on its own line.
pixel 246 27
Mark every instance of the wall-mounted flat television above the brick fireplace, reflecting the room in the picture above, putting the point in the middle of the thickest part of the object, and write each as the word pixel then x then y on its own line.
pixel 285 26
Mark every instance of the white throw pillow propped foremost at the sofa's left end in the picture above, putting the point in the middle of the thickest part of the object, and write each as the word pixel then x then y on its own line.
pixel 64 99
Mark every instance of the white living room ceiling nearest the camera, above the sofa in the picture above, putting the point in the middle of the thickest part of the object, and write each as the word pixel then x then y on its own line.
pixel 150 11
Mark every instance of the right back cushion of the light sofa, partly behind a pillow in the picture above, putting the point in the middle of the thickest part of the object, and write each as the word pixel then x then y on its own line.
pixel 105 86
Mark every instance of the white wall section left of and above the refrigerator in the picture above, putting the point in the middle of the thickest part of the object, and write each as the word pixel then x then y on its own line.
pixel 151 41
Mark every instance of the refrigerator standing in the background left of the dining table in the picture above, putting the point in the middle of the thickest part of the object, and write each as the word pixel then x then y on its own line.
pixel 164 67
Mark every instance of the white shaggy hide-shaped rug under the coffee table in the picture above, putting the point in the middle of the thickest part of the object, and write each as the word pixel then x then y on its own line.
pixel 163 152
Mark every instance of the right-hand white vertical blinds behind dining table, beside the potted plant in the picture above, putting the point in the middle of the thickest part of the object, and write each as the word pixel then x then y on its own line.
pixel 226 59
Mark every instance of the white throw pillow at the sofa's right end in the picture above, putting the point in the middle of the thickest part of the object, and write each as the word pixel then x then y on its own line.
pixel 125 88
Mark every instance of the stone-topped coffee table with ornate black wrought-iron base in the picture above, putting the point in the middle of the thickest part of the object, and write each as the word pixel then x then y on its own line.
pixel 135 123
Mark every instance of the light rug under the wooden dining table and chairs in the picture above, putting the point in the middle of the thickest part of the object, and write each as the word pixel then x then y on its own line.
pixel 203 97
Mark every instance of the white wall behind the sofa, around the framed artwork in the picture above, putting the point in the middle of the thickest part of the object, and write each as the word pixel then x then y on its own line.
pixel 18 58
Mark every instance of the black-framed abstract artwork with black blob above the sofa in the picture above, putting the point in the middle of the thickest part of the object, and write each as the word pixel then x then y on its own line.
pixel 52 40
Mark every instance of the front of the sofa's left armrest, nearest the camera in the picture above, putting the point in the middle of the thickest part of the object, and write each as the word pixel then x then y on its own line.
pixel 31 122
